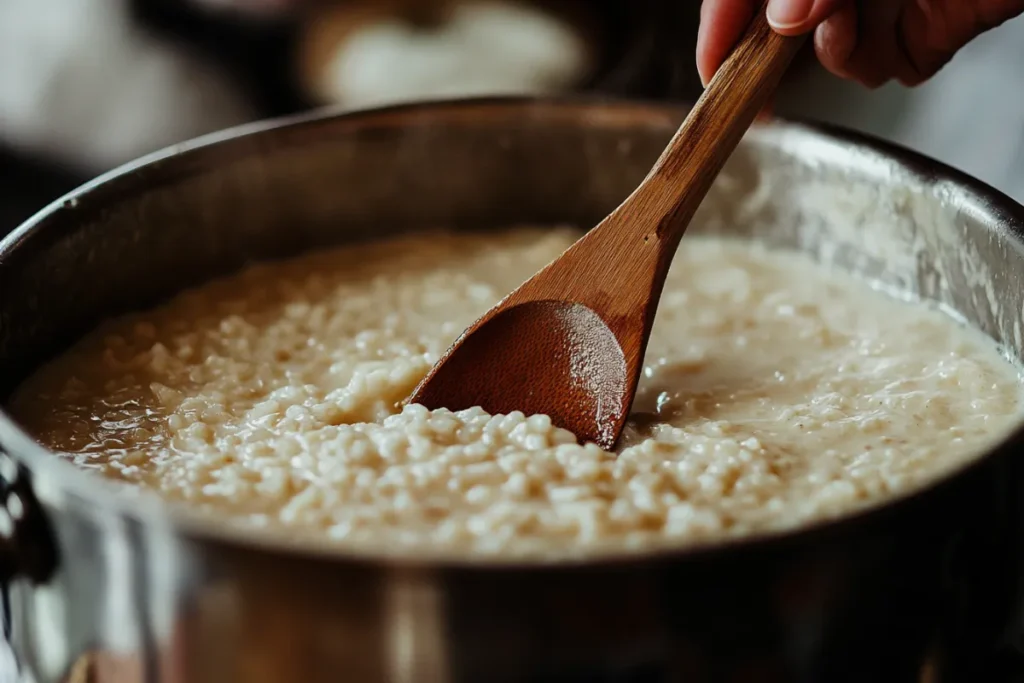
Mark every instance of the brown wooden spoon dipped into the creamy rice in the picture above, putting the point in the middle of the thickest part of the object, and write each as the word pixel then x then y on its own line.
pixel 570 343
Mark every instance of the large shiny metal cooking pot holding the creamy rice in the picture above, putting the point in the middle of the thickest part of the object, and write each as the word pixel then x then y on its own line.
pixel 105 587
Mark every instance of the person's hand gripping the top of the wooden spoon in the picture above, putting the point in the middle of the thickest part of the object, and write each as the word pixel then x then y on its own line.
pixel 869 41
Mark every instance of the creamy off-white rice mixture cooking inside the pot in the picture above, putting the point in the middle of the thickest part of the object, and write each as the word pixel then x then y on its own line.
pixel 775 395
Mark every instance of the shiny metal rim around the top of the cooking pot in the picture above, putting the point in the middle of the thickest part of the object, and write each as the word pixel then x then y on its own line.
pixel 871 155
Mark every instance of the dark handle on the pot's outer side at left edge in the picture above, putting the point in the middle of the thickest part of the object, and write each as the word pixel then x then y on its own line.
pixel 27 547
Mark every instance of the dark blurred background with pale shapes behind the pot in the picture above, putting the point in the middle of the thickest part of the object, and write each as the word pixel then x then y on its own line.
pixel 87 86
